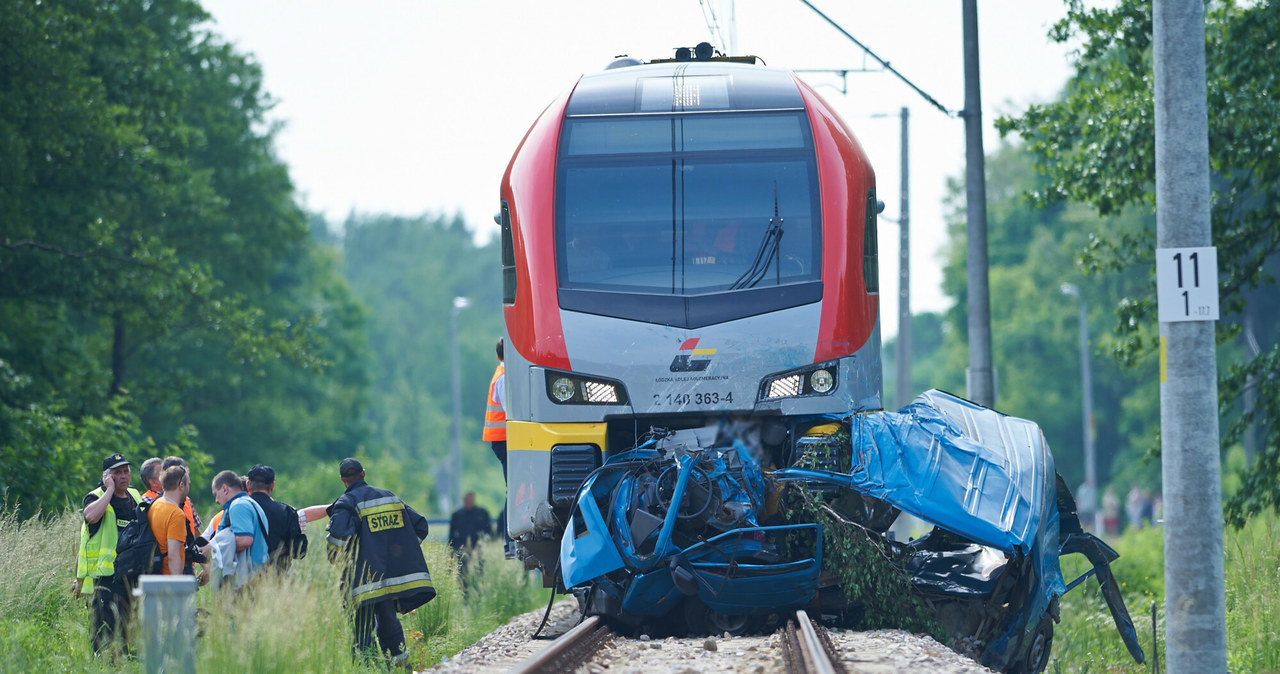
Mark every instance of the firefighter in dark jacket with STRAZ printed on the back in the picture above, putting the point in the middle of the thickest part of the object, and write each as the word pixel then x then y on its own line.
pixel 381 540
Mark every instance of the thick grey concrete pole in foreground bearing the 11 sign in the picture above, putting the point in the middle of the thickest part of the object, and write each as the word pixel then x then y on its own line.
pixel 1195 606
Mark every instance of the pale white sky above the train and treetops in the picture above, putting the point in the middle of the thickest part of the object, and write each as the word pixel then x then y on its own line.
pixel 415 107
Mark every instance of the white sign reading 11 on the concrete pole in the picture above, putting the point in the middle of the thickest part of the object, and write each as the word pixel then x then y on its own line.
pixel 1187 285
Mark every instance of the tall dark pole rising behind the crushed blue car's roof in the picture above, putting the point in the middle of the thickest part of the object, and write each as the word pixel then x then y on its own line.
pixel 980 378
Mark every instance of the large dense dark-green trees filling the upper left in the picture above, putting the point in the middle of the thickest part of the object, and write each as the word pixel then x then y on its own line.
pixel 154 267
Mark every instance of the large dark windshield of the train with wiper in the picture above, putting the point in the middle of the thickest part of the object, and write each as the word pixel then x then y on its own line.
pixel 688 205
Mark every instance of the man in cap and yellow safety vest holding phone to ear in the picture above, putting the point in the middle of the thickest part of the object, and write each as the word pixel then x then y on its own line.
pixel 108 510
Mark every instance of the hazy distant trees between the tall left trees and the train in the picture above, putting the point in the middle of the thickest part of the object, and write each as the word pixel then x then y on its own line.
pixel 408 272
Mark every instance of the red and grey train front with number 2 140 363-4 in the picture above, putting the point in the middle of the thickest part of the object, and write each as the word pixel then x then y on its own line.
pixel 687 245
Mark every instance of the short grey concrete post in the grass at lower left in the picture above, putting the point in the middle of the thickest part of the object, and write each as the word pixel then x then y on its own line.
pixel 168 622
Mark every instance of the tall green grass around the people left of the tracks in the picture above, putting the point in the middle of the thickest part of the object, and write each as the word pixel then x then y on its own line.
pixel 287 623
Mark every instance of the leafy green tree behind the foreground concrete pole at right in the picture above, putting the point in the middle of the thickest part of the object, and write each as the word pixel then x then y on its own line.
pixel 1096 148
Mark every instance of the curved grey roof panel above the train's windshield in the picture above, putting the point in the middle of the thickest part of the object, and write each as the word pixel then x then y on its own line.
pixel 666 88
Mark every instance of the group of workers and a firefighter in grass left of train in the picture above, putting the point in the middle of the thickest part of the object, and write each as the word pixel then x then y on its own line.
pixel 372 534
